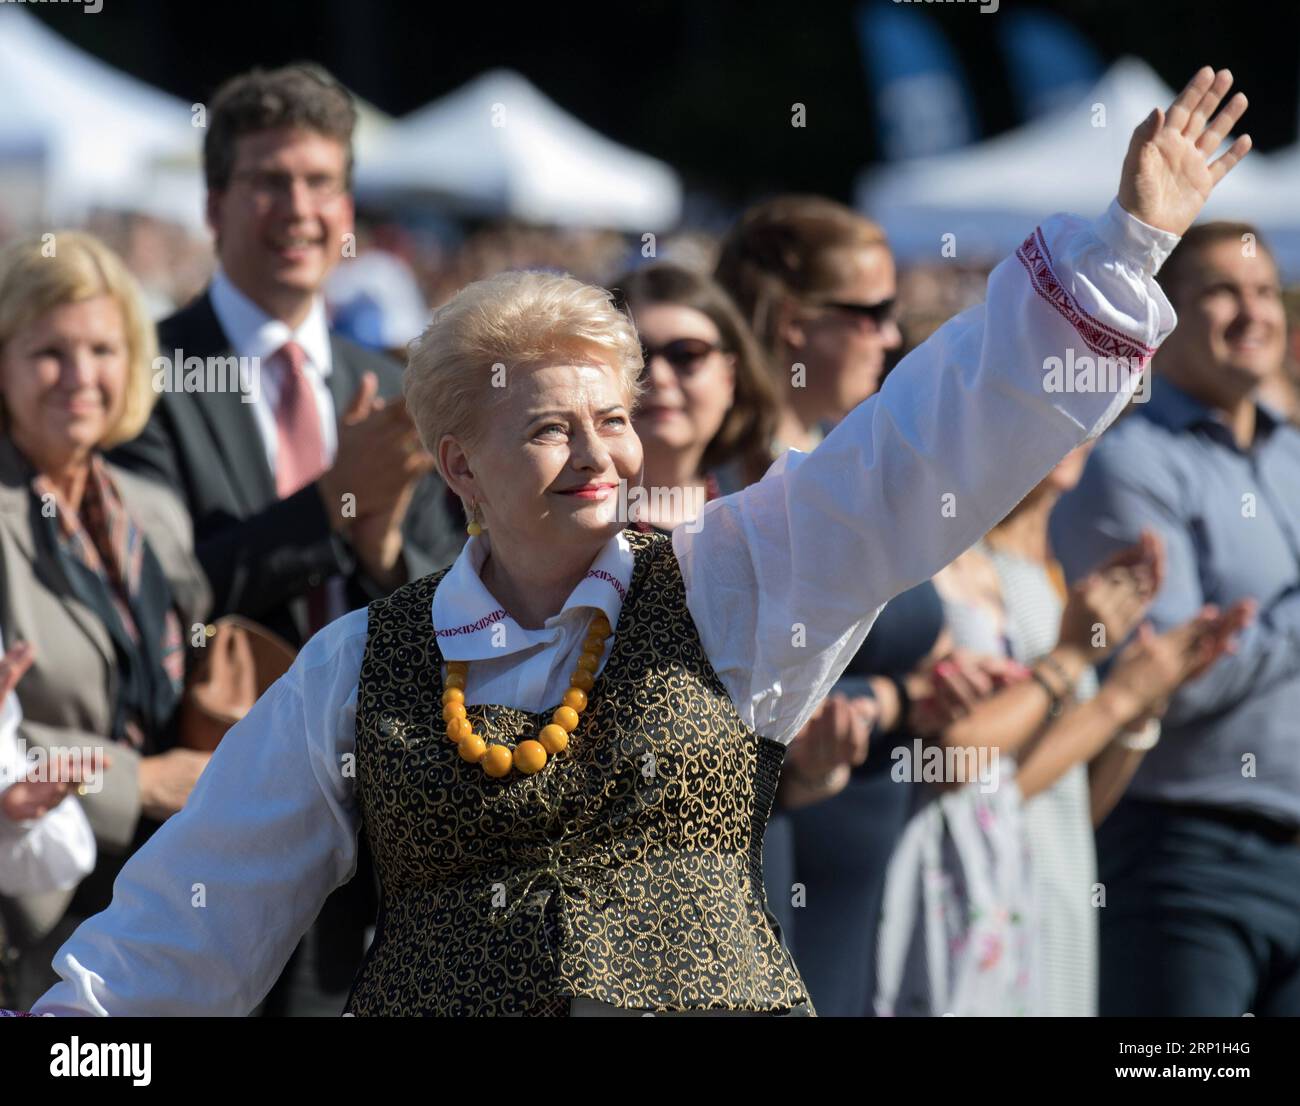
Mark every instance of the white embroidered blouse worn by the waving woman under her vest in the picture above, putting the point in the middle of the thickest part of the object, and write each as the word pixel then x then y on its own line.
pixel 783 582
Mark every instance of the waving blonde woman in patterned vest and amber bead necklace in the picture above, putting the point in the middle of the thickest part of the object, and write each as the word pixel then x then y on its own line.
pixel 565 748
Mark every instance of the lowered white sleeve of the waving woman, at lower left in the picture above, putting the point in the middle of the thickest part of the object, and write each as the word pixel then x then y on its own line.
pixel 209 912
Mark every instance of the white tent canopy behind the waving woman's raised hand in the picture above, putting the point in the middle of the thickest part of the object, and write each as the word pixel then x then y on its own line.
pixel 993 194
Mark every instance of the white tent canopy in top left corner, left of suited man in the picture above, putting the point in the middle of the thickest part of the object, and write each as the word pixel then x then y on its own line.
pixel 88 132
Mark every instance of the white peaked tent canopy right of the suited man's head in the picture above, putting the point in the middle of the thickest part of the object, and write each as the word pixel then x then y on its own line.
pixel 500 148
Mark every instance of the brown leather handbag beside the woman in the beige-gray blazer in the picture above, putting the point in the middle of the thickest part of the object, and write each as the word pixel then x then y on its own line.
pixel 239 663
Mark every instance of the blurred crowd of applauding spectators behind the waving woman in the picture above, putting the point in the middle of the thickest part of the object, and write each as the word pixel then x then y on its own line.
pixel 1087 684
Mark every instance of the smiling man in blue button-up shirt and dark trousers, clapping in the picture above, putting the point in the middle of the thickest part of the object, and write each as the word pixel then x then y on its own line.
pixel 1202 860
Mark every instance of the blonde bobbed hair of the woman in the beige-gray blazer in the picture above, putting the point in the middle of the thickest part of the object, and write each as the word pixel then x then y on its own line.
pixel 49 271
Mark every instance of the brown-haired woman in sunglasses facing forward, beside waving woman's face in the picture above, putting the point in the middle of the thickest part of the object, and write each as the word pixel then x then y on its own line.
pixel 709 410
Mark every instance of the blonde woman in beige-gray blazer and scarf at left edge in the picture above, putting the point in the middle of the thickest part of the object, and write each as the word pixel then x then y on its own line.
pixel 97 567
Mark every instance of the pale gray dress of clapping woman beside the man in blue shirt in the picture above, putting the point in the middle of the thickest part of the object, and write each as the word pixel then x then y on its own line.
pixel 1059 821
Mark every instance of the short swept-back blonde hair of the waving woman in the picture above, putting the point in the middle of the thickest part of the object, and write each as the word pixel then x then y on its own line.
pixel 513 320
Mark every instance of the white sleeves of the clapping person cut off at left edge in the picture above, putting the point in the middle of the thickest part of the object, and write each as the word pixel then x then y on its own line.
pixel 49 853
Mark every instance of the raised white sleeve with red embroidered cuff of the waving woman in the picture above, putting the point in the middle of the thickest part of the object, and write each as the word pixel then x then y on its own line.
pixel 786 578
